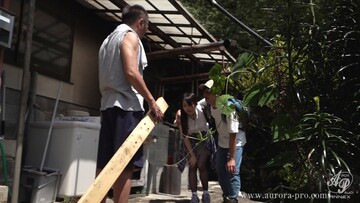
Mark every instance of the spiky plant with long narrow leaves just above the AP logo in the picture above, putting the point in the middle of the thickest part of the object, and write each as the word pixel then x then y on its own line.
pixel 321 135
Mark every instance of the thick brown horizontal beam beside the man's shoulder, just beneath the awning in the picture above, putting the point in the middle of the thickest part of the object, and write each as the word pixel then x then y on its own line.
pixel 214 46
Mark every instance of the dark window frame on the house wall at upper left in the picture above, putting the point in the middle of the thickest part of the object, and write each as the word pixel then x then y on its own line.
pixel 15 54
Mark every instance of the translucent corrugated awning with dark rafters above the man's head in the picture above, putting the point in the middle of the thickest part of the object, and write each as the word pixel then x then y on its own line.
pixel 171 26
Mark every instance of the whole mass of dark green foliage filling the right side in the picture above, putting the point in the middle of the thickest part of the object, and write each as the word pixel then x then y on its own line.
pixel 308 83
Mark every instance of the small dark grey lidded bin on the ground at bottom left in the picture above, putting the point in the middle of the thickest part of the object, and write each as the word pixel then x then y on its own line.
pixel 39 186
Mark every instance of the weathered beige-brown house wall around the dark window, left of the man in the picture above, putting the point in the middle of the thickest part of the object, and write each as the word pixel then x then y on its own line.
pixel 81 92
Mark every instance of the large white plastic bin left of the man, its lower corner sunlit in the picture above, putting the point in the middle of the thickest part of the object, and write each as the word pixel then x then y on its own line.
pixel 72 149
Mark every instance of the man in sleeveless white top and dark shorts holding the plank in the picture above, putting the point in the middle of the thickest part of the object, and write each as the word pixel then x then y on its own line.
pixel 122 60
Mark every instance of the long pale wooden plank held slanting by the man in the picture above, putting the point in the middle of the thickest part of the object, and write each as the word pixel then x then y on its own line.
pixel 103 182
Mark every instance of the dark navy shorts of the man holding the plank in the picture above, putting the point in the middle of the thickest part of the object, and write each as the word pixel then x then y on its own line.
pixel 116 126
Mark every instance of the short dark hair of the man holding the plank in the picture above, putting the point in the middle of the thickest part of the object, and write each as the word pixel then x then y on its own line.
pixel 131 14
